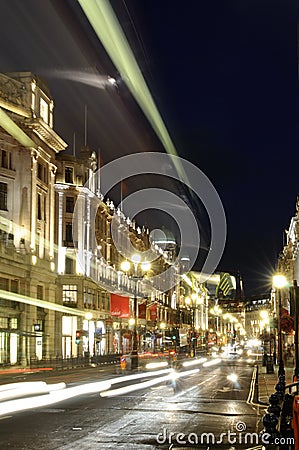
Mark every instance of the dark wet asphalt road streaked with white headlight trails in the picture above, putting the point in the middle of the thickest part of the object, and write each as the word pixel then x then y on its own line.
pixel 171 414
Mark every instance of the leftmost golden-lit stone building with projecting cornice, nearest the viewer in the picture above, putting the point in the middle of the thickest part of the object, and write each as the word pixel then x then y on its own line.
pixel 29 146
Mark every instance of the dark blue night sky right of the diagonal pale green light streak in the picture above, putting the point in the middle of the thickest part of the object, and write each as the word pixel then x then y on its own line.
pixel 225 76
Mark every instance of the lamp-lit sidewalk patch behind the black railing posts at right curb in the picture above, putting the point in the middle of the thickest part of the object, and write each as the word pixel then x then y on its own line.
pixel 267 382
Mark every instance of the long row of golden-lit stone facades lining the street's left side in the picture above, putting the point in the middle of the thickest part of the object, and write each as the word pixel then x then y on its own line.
pixel 58 272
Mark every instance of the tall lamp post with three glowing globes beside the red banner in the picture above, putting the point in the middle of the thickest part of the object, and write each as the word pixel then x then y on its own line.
pixel 145 266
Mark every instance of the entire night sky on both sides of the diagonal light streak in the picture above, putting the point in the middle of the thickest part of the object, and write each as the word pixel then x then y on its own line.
pixel 224 75
